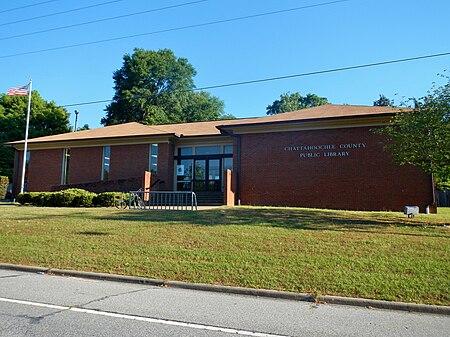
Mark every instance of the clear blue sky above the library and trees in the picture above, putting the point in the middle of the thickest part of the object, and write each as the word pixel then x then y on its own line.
pixel 227 42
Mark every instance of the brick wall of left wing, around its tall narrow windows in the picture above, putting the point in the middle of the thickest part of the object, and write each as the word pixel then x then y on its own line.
pixel 128 164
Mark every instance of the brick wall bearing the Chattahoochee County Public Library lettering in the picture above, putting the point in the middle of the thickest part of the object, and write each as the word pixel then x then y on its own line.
pixel 366 179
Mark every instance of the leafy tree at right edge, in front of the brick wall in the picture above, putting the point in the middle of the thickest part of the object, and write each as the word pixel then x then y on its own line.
pixel 420 136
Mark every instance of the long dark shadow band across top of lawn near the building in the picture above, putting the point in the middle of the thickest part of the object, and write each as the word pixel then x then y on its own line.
pixel 306 219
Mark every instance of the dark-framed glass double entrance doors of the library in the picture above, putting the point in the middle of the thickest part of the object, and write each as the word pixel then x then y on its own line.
pixel 207 175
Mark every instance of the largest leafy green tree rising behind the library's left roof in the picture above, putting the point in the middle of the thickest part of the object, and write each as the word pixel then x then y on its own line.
pixel 156 87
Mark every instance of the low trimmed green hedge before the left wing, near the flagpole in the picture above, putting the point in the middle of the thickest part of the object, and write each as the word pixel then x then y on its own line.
pixel 73 197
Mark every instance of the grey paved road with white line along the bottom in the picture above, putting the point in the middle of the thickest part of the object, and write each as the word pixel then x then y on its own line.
pixel 42 305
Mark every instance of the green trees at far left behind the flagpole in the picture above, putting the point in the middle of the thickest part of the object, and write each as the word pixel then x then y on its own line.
pixel 45 119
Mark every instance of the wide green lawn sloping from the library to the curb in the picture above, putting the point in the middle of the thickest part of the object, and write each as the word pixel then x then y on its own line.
pixel 379 255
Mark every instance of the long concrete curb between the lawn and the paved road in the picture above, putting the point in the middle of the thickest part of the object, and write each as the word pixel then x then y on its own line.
pixel 325 299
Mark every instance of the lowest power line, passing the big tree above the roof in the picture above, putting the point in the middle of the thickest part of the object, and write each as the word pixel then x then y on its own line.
pixel 318 72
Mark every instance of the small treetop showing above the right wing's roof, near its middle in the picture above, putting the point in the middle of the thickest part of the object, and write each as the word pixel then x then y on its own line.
pixel 291 102
